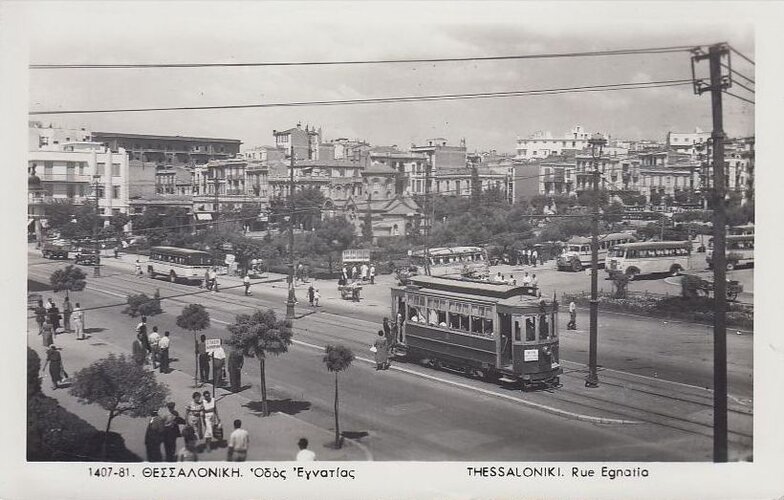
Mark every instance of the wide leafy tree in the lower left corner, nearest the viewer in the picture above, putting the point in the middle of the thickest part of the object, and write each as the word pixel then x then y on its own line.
pixel 120 386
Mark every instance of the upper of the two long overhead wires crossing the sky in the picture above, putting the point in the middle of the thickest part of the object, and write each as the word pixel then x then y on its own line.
pixel 552 55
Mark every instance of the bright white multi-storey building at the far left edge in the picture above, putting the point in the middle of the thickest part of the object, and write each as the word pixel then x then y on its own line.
pixel 70 172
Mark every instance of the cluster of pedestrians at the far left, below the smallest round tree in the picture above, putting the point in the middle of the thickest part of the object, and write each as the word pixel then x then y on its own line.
pixel 48 317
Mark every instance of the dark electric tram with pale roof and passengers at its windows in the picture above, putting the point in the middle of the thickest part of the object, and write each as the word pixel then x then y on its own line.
pixel 493 331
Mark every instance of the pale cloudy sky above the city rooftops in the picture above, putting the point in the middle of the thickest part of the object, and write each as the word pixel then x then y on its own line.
pixel 179 32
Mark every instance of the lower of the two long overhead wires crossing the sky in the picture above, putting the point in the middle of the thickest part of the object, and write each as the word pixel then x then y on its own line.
pixel 386 100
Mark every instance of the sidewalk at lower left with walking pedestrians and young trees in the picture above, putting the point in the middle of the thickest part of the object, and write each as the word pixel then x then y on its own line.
pixel 272 438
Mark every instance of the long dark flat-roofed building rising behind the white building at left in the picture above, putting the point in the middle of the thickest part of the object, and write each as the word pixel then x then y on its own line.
pixel 170 150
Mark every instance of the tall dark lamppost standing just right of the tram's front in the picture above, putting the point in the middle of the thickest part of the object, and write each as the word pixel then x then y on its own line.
pixel 592 379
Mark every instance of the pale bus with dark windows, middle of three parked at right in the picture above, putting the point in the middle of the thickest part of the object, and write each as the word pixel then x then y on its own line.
pixel 650 257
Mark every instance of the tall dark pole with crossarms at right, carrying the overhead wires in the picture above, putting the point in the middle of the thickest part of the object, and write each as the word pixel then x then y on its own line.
pixel 717 85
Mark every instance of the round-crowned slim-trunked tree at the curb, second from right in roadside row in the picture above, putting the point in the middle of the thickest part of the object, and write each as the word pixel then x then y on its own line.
pixel 259 334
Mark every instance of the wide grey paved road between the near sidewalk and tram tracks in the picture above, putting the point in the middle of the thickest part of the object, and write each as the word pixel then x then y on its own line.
pixel 398 415
